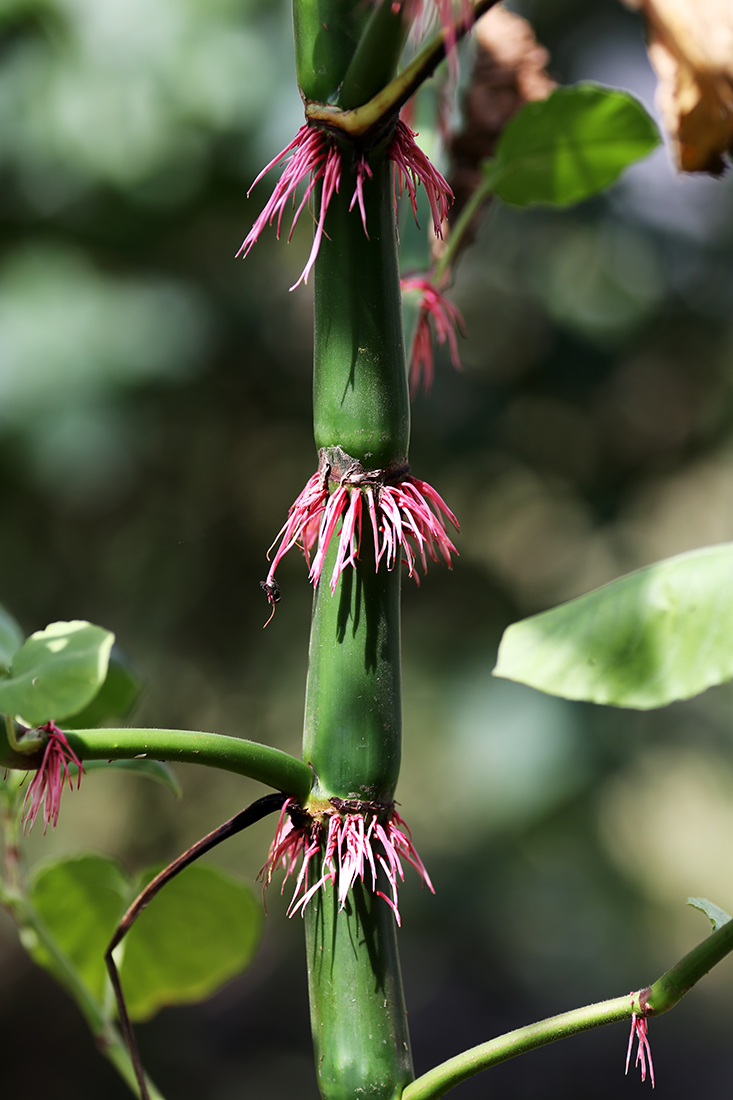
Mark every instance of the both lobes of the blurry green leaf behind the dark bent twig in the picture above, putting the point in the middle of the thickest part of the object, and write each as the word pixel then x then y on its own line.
pixel 198 933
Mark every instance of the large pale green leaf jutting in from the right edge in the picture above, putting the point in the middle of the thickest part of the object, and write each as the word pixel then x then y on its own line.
pixel 655 636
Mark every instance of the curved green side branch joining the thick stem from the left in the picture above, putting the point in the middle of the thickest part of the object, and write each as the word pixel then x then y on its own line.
pixel 267 765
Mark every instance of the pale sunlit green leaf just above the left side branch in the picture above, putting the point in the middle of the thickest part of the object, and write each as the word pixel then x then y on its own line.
pixel 57 673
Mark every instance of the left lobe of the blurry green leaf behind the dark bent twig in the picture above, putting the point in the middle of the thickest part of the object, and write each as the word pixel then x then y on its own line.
pixel 81 900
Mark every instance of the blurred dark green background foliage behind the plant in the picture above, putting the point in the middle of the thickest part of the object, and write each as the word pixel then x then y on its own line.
pixel 155 428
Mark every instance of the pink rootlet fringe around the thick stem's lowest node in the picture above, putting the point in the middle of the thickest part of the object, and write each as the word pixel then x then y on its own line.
pixel 355 845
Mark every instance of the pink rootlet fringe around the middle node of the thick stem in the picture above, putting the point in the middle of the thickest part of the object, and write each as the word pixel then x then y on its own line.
pixel 407 520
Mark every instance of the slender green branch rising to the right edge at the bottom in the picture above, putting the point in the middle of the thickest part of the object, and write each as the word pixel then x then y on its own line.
pixel 654 1000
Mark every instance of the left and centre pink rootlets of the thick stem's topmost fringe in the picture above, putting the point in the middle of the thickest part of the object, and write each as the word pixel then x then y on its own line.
pixel 313 157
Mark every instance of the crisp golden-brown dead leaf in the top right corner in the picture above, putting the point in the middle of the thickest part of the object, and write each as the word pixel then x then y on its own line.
pixel 691 45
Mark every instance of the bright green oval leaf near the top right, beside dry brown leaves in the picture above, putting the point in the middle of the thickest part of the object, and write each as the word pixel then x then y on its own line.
pixel 570 147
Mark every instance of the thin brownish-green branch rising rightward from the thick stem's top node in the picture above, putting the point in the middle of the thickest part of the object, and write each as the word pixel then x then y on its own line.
pixel 375 116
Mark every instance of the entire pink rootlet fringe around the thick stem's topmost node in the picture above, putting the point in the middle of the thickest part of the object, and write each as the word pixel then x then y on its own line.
pixel 314 156
